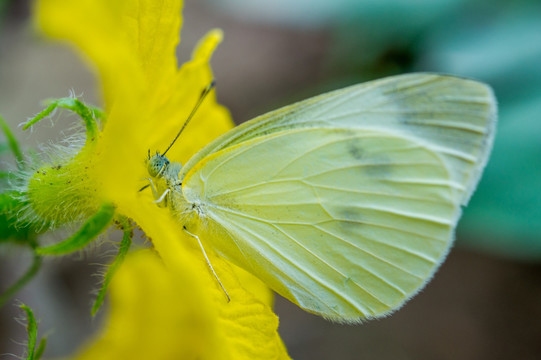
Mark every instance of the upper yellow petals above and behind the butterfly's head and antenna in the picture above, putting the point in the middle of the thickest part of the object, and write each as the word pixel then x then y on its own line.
pixel 132 44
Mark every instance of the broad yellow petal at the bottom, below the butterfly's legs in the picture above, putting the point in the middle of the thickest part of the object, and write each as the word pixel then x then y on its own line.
pixel 161 310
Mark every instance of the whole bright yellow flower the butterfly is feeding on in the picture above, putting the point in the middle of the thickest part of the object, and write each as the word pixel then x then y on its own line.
pixel 168 307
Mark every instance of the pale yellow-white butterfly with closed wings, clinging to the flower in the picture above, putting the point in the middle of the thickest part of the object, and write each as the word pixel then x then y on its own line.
pixel 345 203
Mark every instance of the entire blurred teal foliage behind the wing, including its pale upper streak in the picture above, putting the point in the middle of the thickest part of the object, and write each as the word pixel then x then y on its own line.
pixel 504 213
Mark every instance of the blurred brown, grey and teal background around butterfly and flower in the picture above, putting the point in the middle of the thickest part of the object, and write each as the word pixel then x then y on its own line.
pixel 485 301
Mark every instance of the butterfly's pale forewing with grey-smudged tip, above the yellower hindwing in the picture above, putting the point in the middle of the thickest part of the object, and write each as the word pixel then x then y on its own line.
pixel 454 114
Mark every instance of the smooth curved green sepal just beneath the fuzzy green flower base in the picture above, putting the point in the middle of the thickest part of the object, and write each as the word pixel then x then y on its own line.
pixel 94 226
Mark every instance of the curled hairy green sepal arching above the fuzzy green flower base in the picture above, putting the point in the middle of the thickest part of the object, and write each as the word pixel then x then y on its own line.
pixel 87 113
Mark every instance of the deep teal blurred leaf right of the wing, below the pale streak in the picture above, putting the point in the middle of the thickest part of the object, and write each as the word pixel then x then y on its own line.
pixel 503 215
